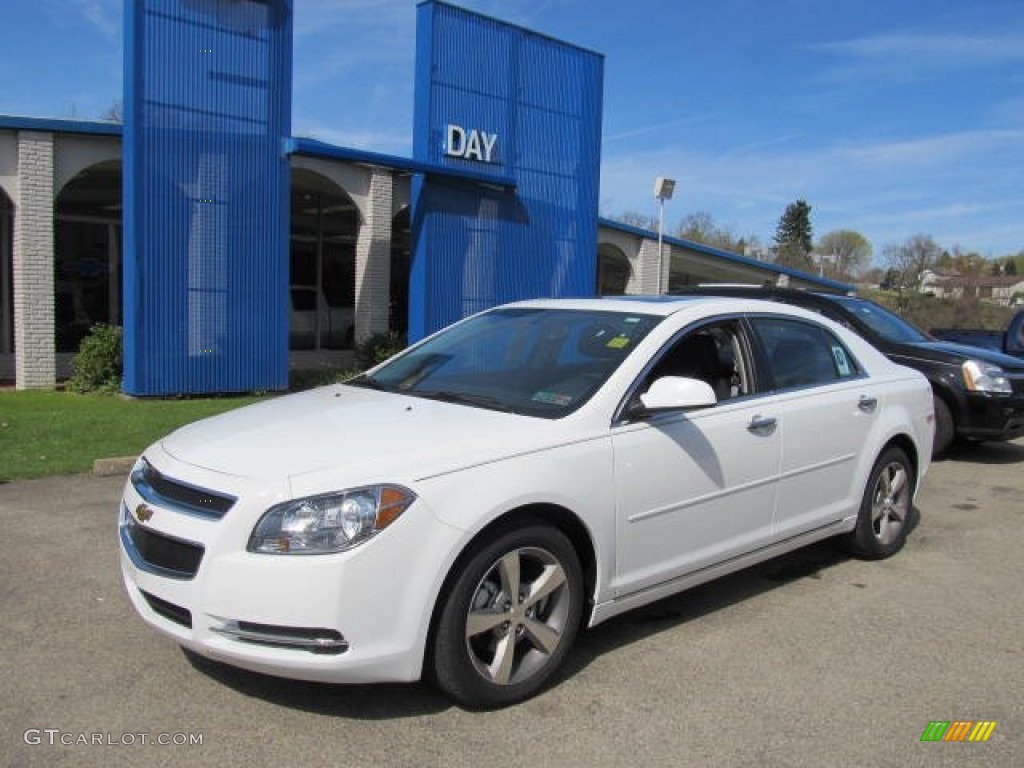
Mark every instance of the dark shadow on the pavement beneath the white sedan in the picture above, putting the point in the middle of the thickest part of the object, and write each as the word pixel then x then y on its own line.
pixel 390 702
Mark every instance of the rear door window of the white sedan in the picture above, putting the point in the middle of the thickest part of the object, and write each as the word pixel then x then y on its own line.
pixel 803 355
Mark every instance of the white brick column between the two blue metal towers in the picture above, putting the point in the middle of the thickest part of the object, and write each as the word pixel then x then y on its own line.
pixel 373 260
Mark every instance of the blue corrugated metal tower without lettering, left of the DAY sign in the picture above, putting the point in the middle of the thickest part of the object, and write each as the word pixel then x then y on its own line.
pixel 207 109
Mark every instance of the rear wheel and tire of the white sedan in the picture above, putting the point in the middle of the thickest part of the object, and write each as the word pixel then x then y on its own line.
pixel 885 509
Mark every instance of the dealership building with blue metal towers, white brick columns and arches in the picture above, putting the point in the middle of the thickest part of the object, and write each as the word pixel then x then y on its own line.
pixel 231 250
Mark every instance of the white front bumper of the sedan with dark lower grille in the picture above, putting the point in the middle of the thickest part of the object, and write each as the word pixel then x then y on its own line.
pixel 355 617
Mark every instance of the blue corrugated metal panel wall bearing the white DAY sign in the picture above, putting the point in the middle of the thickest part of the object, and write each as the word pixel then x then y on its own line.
pixel 475 246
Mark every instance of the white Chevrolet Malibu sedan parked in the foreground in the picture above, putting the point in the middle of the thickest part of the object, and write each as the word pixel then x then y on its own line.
pixel 460 511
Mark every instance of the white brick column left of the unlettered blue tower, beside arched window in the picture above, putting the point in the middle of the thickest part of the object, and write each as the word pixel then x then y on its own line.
pixel 35 350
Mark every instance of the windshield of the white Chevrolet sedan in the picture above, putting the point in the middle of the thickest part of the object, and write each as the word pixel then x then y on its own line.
pixel 537 362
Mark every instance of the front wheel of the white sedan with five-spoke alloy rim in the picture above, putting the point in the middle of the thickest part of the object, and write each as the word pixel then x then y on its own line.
pixel 510 618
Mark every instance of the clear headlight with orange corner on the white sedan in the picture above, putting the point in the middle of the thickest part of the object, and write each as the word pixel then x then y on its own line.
pixel 332 523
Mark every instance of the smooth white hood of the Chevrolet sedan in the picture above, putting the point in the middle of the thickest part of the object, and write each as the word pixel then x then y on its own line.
pixel 365 433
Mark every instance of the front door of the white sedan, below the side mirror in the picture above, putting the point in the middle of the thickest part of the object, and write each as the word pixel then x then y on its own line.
pixel 697 488
